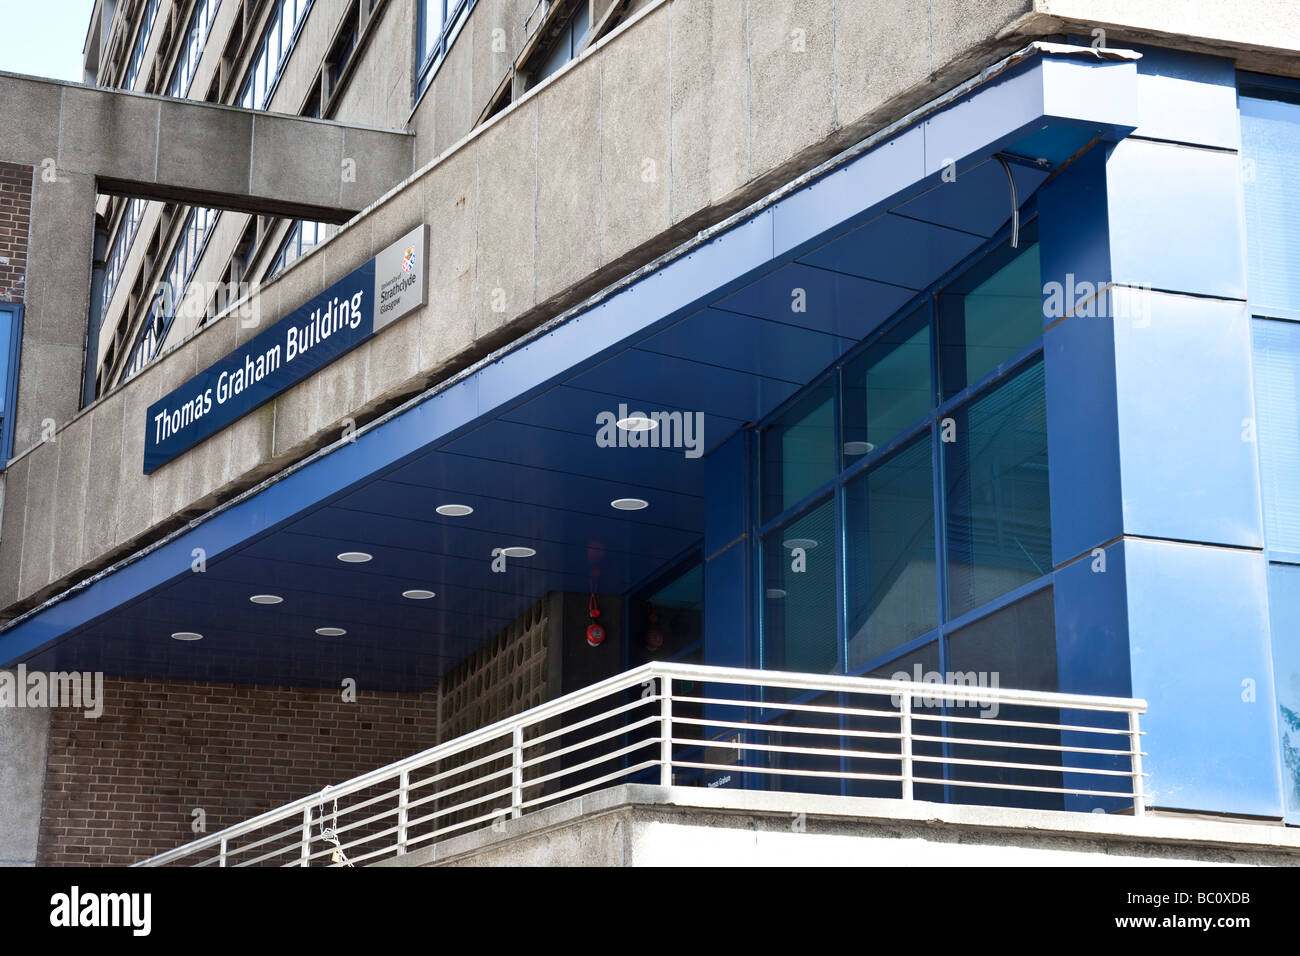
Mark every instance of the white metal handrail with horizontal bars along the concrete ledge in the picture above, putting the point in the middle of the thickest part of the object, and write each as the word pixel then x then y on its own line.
pixel 509 769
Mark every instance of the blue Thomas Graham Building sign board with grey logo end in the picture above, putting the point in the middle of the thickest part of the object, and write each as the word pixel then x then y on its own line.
pixel 317 334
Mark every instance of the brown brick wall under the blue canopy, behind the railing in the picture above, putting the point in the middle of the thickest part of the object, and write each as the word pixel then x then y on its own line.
pixel 123 788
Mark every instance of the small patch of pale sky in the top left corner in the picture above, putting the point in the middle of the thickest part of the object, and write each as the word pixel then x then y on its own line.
pixel 45 38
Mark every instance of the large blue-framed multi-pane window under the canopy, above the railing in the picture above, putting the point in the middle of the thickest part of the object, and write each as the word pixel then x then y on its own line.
pixel 894 508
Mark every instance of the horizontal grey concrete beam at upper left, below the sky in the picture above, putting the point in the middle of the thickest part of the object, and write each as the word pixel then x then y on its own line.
pixel 201 153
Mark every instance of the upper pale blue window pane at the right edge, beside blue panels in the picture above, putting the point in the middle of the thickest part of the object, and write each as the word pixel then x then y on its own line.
pixel 1271 153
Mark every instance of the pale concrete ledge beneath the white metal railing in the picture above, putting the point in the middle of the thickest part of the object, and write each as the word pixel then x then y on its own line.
pixel 642 825
